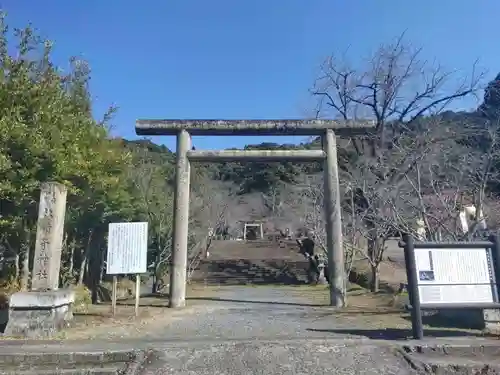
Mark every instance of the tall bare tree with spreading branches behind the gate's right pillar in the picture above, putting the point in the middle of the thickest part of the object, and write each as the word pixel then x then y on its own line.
pixel 397 90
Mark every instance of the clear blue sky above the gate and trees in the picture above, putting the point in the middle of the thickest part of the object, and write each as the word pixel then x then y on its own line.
pixel 245 58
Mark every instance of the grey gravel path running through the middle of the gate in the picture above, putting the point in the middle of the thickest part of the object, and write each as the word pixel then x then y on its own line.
pixel 252 313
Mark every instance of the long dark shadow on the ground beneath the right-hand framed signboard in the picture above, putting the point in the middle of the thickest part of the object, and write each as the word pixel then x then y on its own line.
pixel 397 333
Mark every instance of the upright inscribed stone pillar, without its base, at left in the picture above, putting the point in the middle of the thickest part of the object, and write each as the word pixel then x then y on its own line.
pixel 49 237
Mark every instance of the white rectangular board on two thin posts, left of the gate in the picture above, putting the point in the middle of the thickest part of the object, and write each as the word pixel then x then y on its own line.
pixel 127 248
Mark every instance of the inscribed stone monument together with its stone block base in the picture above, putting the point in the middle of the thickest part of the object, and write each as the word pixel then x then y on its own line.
pixel 45 309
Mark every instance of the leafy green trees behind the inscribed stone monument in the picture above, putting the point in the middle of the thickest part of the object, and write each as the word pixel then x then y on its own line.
pixel 47 133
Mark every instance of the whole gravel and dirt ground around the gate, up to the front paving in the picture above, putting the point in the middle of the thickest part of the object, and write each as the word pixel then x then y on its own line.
pixel 249 313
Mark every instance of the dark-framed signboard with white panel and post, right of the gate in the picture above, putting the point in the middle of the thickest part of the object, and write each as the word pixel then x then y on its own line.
pixel 456 275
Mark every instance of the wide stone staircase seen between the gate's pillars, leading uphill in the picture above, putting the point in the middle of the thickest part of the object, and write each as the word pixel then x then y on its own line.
pixel 252 262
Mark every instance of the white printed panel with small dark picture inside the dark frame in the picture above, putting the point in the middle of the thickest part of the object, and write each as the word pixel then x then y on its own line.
pixel 454 276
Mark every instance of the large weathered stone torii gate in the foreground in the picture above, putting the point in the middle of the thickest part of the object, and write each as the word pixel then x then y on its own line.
pixel 183 129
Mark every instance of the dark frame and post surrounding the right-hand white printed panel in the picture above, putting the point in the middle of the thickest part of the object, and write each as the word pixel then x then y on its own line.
pixel 493 251
